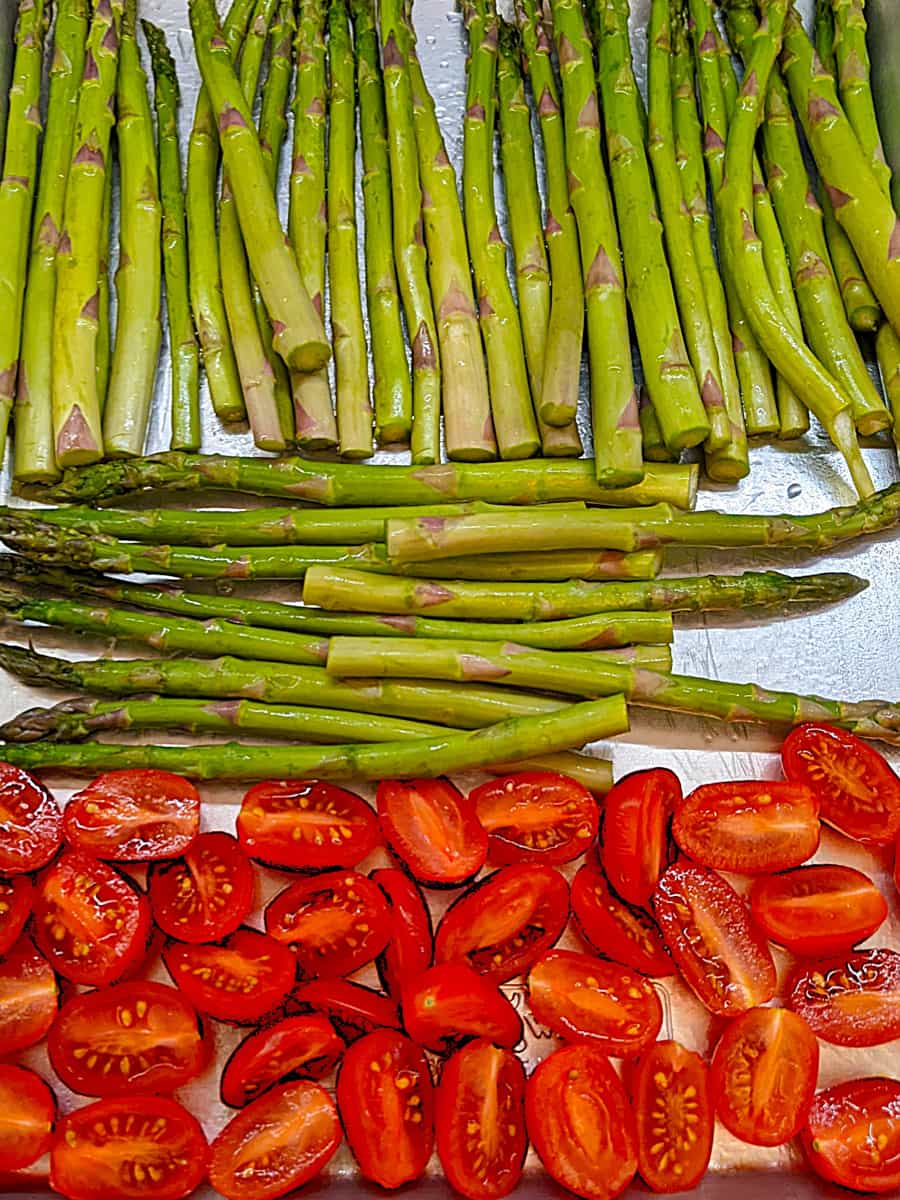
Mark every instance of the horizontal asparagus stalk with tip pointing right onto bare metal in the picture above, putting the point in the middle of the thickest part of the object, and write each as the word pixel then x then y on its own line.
pixel 345 590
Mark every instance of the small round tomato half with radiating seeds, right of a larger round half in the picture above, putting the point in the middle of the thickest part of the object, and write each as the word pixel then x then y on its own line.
pixel 206 895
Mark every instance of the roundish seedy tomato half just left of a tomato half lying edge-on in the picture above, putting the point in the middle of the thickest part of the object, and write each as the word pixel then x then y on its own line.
pixel 334 923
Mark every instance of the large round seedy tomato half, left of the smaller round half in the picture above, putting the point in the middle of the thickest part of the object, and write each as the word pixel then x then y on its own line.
pixel 91 922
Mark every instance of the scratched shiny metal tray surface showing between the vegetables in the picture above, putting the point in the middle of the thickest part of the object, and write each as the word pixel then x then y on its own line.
pixel 851 651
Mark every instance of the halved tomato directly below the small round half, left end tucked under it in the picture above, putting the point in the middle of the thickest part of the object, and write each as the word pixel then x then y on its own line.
pixel 241 981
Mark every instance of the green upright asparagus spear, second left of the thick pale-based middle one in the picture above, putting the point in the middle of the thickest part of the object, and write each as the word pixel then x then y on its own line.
pixel 393 397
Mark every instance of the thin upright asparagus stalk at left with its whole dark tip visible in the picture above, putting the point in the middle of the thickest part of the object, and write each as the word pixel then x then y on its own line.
pixel 183 345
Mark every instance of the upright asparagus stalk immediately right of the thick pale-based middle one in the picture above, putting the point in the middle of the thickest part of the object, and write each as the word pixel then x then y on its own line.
pixel 511 398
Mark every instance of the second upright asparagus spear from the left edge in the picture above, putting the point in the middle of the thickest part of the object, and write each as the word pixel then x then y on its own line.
pixel 34 451
